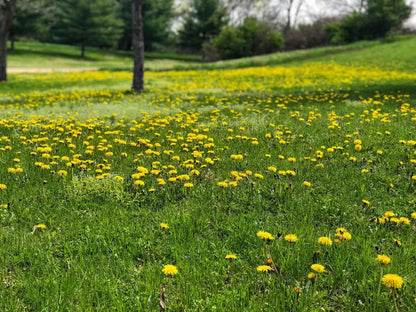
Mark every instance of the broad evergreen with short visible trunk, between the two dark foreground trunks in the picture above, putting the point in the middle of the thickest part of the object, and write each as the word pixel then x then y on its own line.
pixel 89 23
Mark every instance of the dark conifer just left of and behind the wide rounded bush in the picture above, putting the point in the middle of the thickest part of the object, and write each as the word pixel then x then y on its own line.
pixel 204 21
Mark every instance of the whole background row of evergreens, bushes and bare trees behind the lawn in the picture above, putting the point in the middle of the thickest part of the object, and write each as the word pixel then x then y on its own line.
pixel 218 29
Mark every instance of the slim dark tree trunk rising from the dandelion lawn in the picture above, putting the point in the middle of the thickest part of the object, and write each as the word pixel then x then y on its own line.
pixel 138 45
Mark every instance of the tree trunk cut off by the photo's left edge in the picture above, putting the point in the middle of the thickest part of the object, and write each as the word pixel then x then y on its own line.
pixel 7 8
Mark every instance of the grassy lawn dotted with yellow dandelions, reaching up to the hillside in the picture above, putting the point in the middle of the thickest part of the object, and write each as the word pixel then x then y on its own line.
pixel 267 188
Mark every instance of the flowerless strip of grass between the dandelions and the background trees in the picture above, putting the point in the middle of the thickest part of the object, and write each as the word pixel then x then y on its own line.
pixel 398 54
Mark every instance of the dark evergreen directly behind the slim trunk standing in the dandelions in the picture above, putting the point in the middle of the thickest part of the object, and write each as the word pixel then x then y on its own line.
pixel 157 17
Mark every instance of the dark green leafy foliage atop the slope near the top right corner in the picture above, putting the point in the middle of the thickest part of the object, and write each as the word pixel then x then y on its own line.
pixel 379 18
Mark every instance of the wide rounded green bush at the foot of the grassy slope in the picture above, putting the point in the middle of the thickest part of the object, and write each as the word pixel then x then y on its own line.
pixel 253 37
